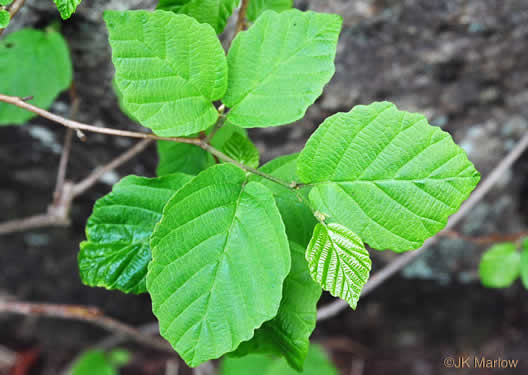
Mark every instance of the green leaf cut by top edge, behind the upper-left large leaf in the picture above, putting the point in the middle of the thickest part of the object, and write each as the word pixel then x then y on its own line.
pixel 214 12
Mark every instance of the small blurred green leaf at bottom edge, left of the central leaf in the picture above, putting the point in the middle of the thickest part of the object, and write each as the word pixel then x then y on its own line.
pixel 100 363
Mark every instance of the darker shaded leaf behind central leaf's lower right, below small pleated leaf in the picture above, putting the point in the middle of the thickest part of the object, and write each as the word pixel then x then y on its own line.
pixel 288 334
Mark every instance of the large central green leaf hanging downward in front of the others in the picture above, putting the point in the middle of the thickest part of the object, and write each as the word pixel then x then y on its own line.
pixel 220 257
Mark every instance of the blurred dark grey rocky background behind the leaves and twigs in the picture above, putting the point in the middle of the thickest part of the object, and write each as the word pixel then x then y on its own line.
pixel 464 64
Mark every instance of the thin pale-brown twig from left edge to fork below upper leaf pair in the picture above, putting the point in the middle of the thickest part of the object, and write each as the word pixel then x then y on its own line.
pixel 16 101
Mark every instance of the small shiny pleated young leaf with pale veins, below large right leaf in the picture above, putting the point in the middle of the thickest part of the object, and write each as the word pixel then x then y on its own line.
pixel 338 261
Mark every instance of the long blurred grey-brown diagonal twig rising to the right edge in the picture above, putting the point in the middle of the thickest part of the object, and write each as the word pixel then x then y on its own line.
pixel 392 268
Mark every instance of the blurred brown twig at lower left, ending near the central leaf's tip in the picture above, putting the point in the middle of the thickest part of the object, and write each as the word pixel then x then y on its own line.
pixel 86 314
